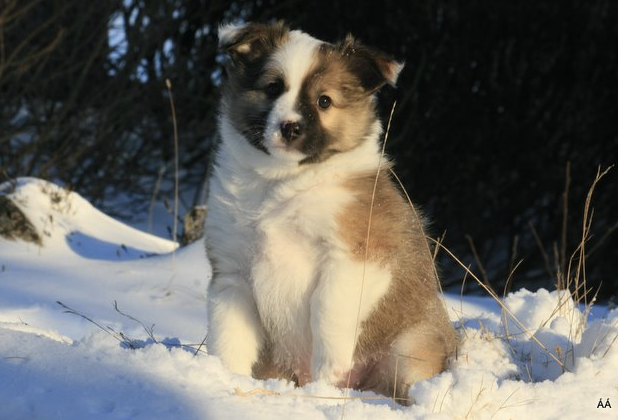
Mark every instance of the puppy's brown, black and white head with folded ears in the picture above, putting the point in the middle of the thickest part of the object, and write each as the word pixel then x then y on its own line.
pixel 298 98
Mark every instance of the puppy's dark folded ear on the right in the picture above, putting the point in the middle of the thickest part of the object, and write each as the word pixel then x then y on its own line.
pixel 373 68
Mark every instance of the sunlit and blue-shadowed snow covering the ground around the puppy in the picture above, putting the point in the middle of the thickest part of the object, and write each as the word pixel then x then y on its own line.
pixel 126 343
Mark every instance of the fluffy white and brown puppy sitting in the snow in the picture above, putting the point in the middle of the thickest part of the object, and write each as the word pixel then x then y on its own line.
pixel 316 276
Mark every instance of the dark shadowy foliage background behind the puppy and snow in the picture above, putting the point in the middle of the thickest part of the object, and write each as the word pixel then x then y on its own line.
pixel 502 108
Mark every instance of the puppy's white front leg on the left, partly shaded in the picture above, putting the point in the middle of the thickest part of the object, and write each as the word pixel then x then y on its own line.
pixel 235 333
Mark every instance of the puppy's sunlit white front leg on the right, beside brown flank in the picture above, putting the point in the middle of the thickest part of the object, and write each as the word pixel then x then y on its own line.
pixel 347 291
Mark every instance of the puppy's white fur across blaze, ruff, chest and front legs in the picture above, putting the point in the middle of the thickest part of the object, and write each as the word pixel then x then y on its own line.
pixel 279 265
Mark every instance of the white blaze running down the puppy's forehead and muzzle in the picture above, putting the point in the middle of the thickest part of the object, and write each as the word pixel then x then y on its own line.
pixel 293 60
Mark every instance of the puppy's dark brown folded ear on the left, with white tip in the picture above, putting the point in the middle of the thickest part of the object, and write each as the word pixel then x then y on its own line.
pixel 246 43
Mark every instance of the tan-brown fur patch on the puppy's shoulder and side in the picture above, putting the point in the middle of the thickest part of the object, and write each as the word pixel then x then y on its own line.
pixel 397 241
